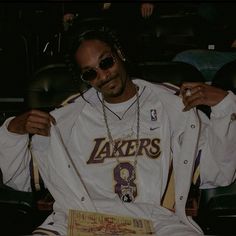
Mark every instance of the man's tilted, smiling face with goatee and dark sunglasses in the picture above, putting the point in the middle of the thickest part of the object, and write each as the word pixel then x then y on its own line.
pixel 91 56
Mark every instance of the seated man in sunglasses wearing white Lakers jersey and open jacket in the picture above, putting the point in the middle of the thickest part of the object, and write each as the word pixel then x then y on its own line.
pixel 111 150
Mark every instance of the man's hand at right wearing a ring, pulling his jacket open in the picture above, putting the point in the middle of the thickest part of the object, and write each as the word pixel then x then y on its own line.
pixel 195 94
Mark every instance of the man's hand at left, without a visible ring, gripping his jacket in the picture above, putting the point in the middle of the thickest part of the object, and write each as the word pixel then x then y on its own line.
pixel 32 122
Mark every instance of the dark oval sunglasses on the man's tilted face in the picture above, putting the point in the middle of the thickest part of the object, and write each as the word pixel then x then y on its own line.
pixel 104 64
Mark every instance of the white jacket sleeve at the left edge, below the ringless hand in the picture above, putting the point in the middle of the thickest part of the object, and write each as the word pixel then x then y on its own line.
pixel 14 158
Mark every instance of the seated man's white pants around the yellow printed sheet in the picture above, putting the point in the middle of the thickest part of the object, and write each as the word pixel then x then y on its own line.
pixel 165 222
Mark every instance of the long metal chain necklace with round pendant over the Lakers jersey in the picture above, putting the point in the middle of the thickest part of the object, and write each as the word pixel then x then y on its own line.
pixel 127 191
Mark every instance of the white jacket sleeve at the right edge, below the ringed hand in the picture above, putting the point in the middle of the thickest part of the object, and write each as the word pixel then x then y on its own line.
pixel 218 160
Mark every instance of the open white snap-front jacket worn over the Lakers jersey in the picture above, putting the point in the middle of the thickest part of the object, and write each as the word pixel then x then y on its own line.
pixel 185 134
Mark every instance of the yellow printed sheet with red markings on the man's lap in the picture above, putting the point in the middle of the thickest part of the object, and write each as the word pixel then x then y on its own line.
pixel 82 223
